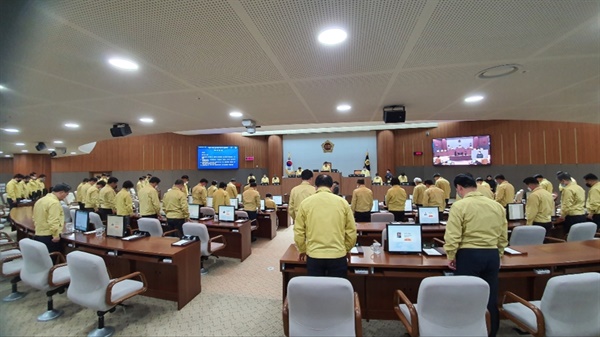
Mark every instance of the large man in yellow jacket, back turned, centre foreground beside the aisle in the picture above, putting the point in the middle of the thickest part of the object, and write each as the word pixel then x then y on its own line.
pixel 324 231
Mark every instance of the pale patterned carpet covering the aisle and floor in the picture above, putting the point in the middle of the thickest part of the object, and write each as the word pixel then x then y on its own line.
pixel 237 299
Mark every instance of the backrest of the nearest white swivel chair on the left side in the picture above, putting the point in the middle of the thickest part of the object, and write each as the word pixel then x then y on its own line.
pixel 89 280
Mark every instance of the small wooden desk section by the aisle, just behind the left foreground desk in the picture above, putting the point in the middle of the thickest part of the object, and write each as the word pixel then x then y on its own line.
pixel 237 234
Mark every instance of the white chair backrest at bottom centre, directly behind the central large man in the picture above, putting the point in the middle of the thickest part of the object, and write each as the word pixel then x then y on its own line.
pixel 320 306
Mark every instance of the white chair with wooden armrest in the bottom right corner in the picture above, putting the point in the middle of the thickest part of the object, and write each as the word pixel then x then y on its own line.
pixel 570 306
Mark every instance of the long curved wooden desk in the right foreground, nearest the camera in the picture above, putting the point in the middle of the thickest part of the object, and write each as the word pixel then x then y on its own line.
pixel 388 272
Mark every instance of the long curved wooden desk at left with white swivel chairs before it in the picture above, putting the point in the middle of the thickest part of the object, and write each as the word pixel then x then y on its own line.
pixel 178 280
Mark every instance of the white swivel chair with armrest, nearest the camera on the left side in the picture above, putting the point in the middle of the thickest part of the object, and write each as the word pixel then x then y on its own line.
pixel 92 287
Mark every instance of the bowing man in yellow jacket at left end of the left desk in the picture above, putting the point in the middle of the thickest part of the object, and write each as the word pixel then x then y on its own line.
pixel 49 218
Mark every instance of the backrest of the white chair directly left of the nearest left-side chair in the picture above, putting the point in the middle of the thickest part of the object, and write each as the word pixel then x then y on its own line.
pixel 36 263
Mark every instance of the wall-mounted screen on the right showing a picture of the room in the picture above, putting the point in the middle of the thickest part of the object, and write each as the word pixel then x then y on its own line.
pixel 462 151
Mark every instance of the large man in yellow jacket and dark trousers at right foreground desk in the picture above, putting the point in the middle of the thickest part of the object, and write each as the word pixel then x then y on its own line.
pixel 476 235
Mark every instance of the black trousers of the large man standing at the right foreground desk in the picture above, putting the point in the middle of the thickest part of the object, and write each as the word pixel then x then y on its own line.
pixel 483 263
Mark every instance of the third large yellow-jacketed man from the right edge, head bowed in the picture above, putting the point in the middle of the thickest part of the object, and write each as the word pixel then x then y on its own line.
pixel 540 204
